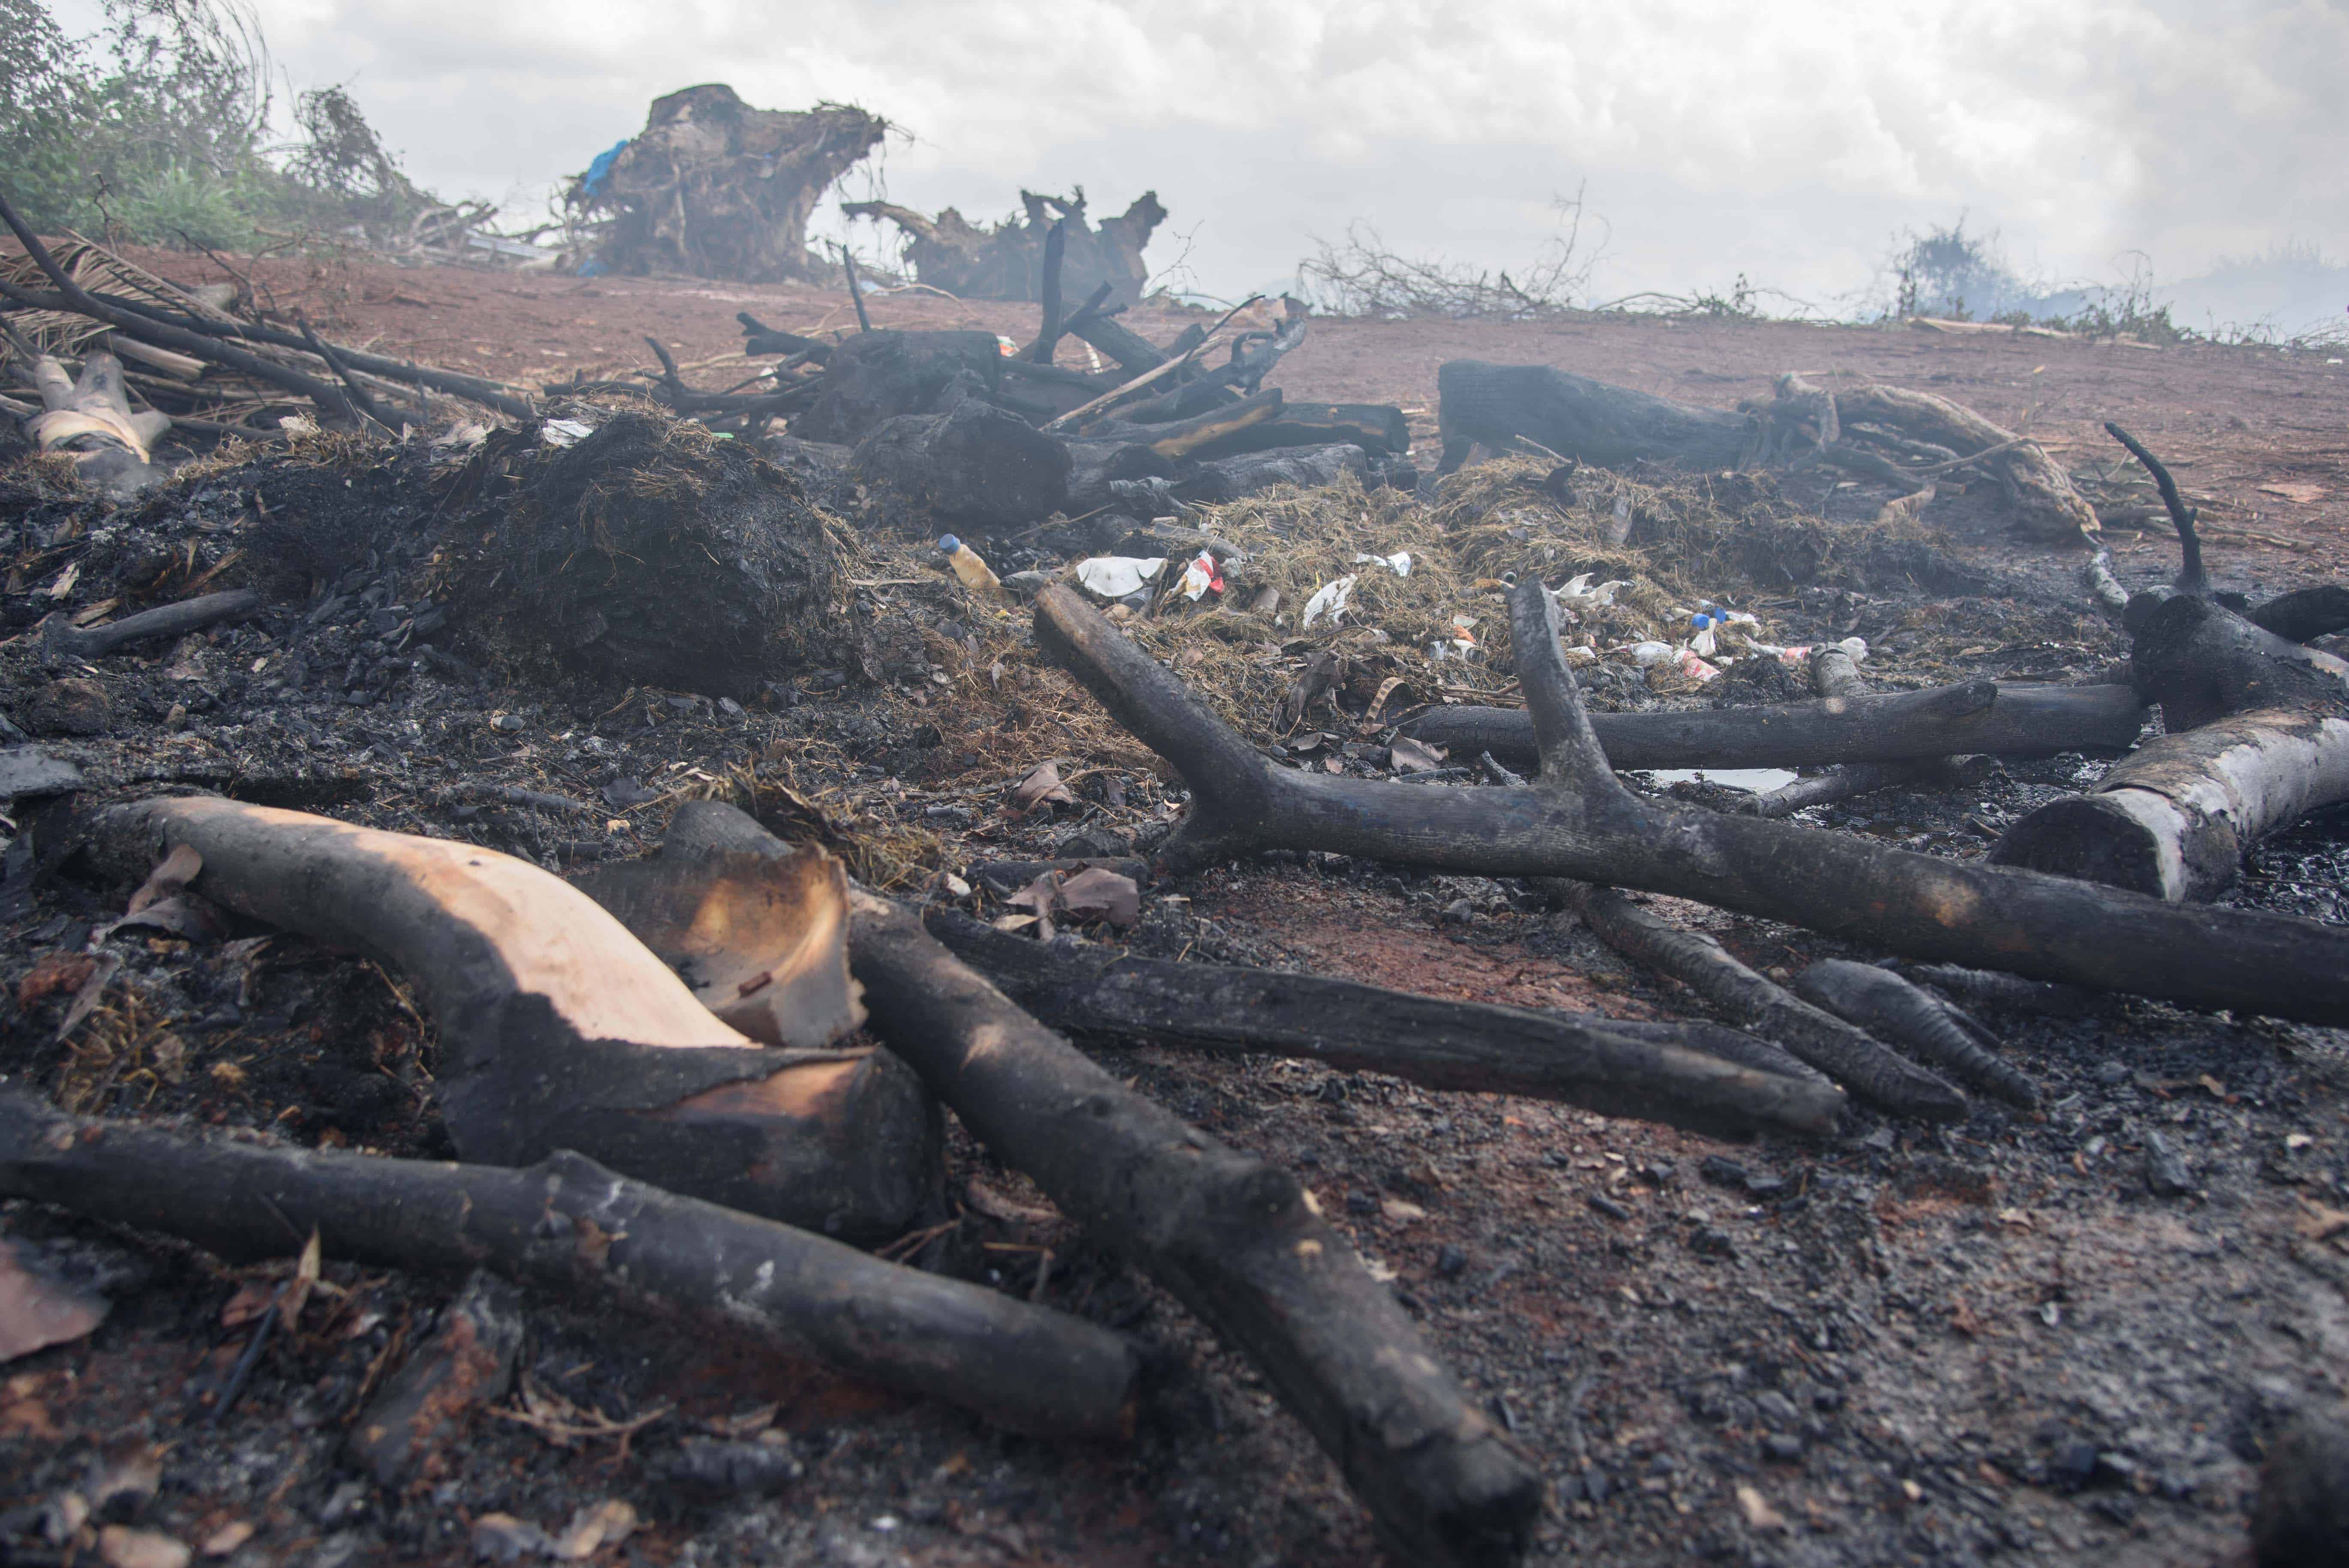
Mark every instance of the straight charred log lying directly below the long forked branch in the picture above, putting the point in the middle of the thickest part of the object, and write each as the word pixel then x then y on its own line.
pixel 1427 1041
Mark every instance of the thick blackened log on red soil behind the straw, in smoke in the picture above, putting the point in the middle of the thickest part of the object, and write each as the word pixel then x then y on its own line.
pixel 1577 419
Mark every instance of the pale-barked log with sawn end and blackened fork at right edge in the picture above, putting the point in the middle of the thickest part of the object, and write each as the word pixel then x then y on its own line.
pixel 2176 818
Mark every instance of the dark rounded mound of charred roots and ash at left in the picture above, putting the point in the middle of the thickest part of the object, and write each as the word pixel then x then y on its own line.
pixel 649 553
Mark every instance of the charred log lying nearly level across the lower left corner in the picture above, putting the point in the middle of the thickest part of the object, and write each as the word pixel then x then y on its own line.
pixel 572 1224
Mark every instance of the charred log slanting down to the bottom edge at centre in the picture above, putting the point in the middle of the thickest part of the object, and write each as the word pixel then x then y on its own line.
pixel 1232 1236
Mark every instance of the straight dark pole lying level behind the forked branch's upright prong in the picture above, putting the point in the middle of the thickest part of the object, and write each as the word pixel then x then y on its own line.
pixel 1988 717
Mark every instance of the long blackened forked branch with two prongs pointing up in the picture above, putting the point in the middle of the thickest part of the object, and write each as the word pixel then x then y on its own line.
pixel 1589 827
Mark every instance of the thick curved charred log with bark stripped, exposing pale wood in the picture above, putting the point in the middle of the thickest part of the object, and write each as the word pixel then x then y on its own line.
pixel 558 1027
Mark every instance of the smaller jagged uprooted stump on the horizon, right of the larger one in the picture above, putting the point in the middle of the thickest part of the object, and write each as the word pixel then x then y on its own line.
pixel 1007 262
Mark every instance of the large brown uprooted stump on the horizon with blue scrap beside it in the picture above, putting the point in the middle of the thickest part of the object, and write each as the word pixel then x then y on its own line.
pixel 718 189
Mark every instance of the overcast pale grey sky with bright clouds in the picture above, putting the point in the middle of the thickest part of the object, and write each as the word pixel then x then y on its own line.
pixel 1711 137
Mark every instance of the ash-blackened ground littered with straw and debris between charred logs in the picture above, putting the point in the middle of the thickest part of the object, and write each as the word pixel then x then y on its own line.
pixel 2012 1337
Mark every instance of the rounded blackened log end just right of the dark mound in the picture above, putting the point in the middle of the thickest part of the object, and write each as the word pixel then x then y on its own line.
pixel 974 468
